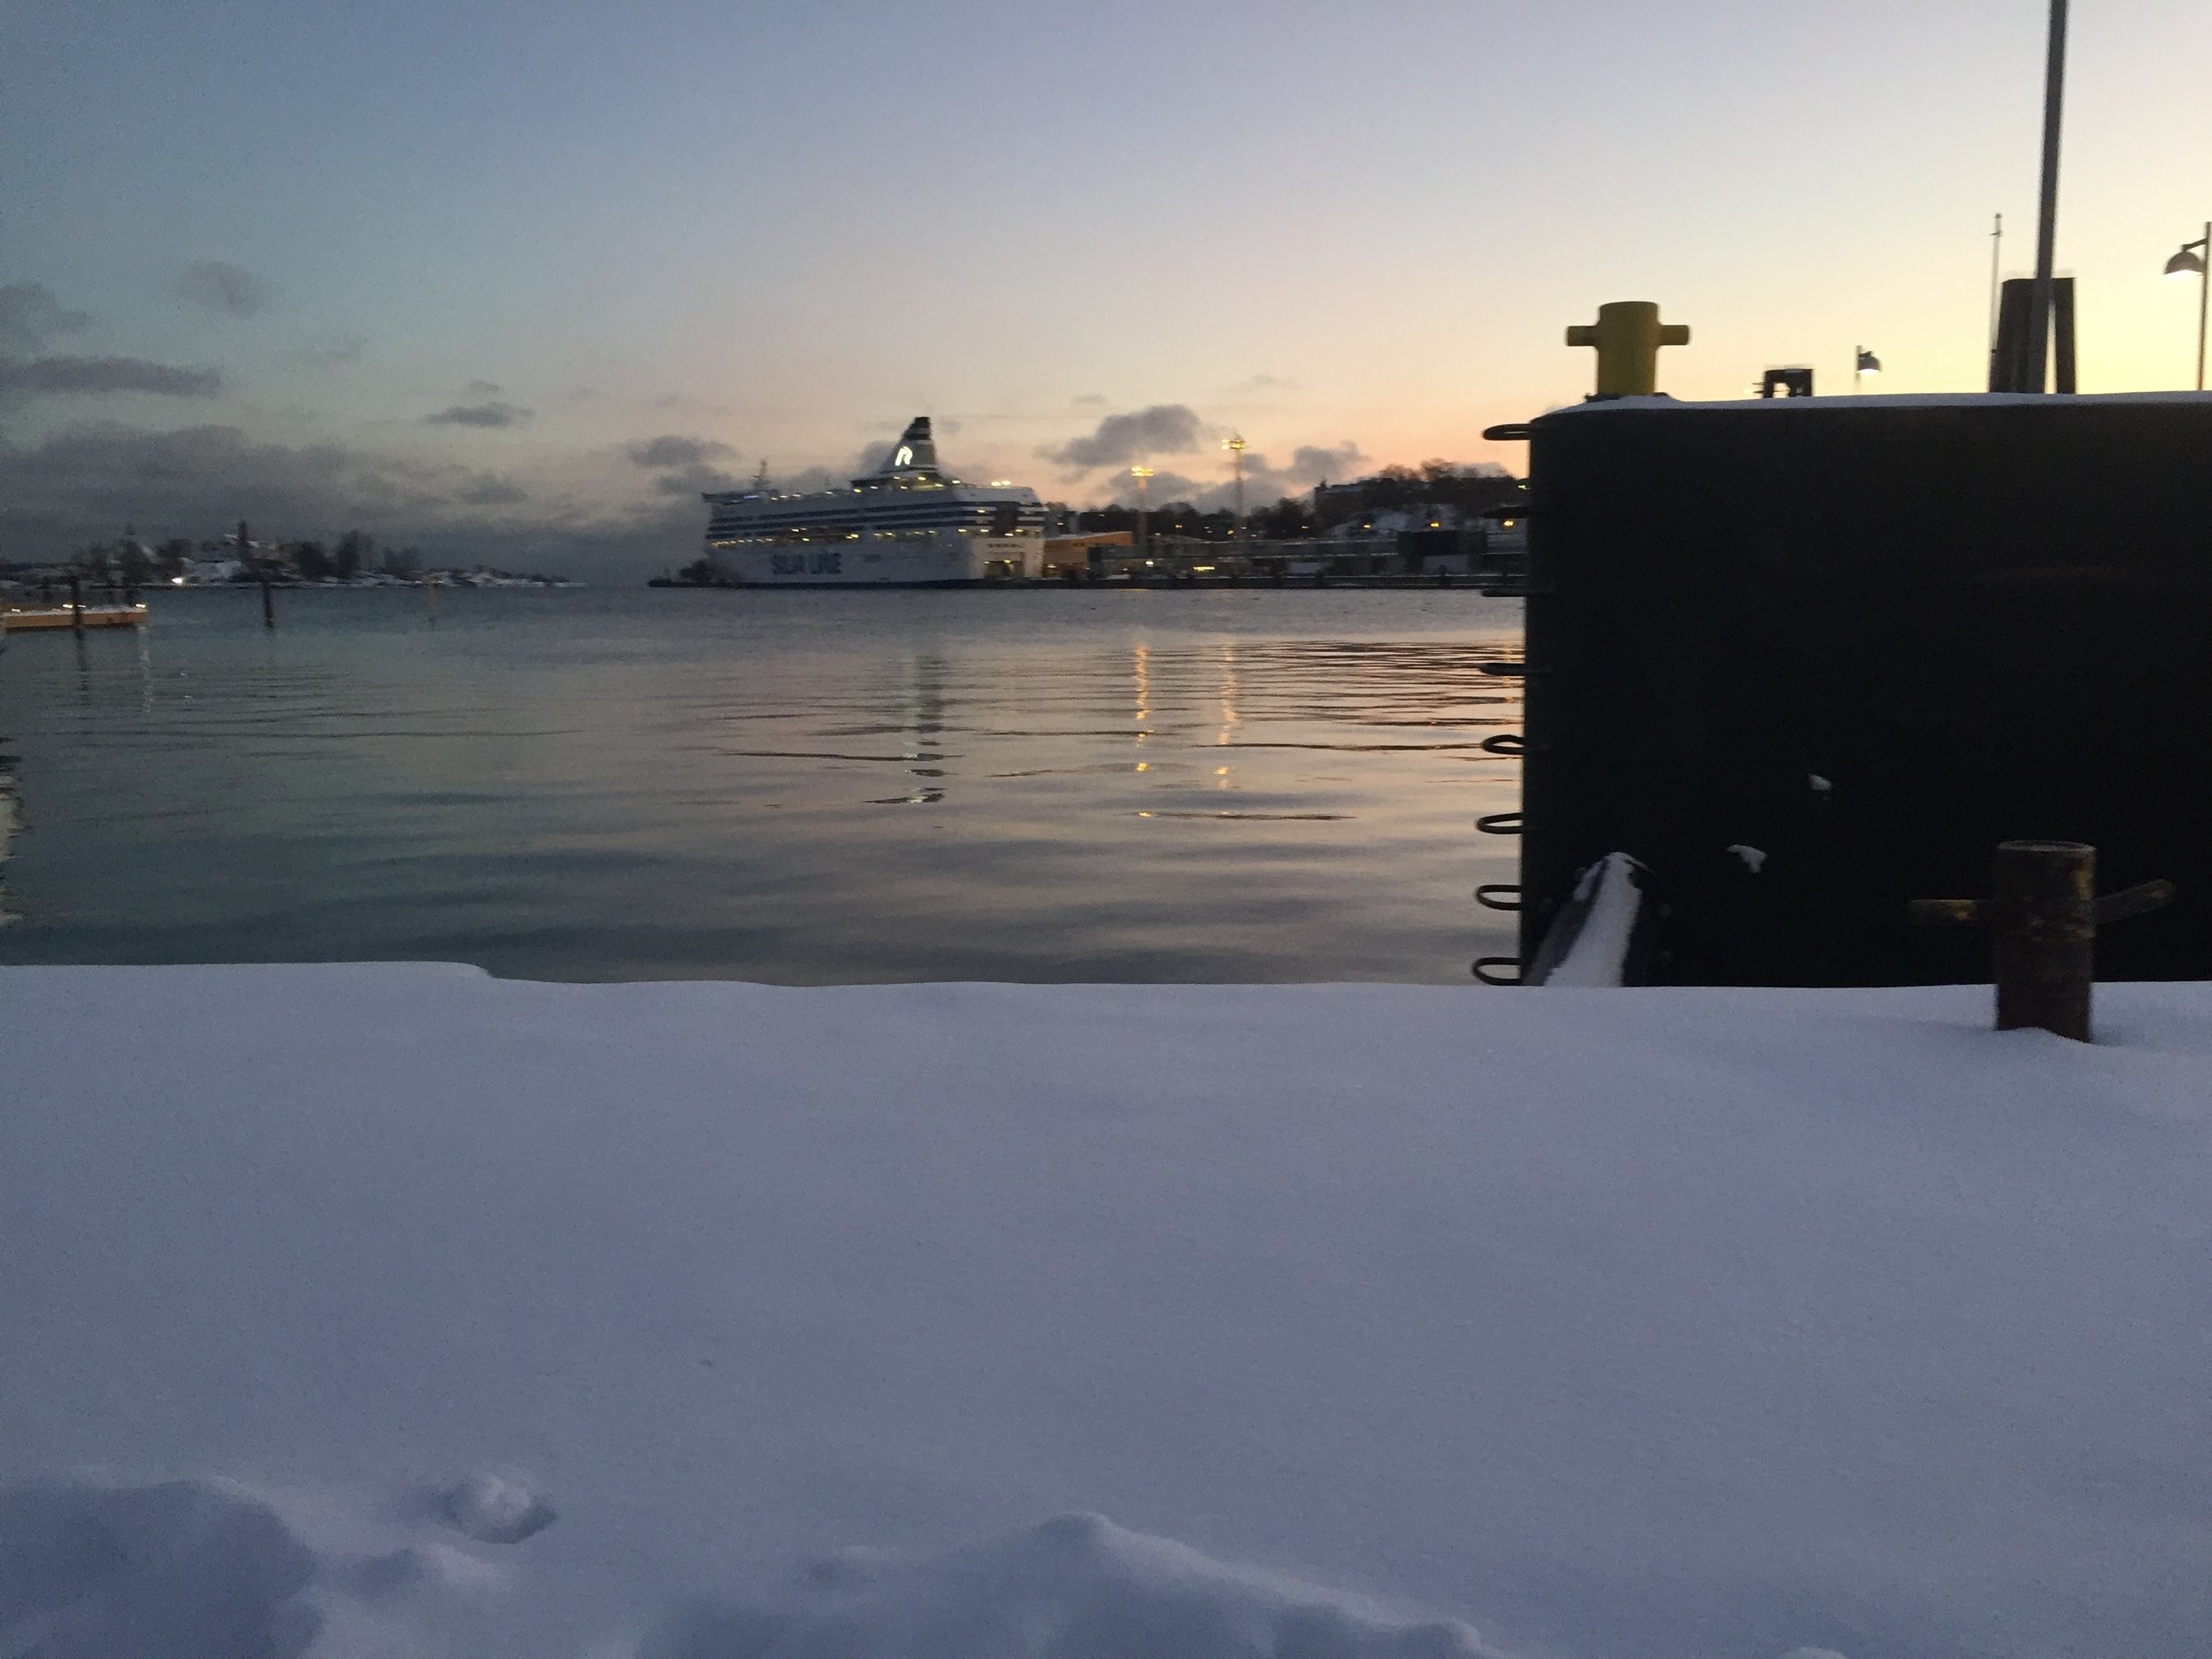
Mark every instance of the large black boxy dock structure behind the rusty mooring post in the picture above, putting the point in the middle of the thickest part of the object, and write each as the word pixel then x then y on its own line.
pixel 1808 660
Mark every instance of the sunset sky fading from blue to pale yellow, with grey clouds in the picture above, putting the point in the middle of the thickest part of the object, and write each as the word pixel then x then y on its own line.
pixel 452 271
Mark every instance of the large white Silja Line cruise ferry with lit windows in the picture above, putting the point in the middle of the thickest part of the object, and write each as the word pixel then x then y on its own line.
pixel 908 525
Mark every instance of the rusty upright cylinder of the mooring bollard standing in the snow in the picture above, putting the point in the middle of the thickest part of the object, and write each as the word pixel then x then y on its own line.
pixel 2045 935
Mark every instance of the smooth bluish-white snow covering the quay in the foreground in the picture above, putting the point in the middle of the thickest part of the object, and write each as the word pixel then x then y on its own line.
pixel 399 1311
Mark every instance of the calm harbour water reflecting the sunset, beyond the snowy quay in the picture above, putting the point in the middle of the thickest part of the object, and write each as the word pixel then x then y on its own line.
pixel 771 786
